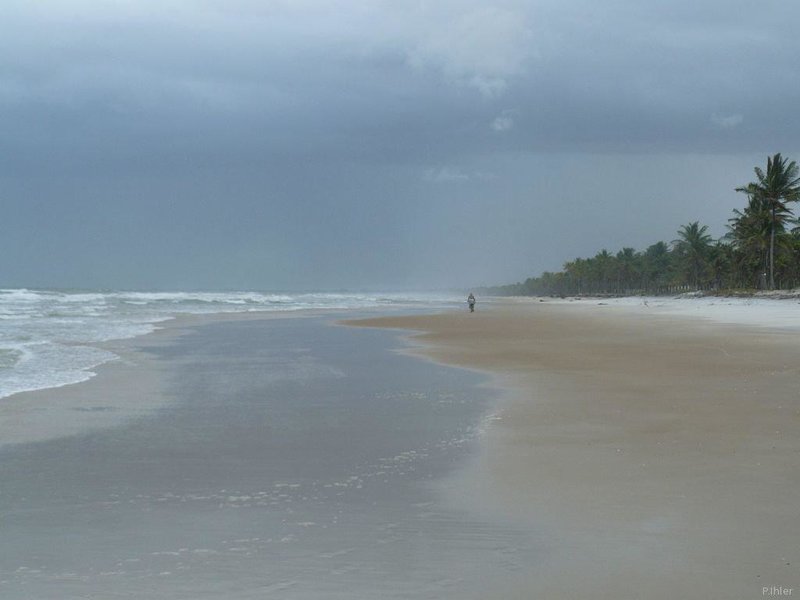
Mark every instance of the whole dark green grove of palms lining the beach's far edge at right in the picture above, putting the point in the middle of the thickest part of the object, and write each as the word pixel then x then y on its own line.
pixel 761 250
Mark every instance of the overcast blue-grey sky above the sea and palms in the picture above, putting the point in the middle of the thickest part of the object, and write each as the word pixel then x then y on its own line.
pixel 310 145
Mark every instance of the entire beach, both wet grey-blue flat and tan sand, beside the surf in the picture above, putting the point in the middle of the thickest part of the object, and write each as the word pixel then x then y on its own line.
pixel 538 450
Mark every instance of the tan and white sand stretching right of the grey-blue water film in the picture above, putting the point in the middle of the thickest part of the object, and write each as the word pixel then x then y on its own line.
pixel 655 456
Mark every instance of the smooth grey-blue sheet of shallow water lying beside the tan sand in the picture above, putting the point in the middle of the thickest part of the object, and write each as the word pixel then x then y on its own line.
pixel 295 460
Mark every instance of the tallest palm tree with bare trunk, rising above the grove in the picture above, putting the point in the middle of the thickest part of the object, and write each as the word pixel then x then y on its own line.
pixel 779 185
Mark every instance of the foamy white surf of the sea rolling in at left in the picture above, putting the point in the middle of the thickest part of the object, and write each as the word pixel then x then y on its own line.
pixel 47 337
